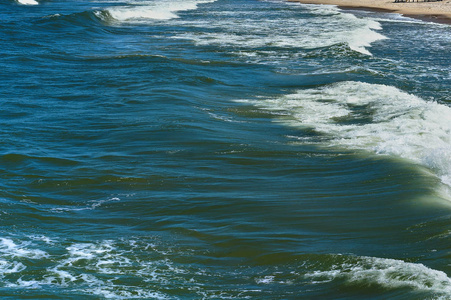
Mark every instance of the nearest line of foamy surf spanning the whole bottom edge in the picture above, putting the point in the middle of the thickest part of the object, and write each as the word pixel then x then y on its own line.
pixel 146 267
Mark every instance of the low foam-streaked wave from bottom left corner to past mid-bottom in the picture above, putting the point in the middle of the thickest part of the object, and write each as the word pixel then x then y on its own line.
pixel 134 268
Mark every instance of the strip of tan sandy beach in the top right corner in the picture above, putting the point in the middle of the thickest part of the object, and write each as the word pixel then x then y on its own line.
pixel 437 11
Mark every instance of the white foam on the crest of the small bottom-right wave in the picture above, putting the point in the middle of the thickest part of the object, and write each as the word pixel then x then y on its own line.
pixel 388 273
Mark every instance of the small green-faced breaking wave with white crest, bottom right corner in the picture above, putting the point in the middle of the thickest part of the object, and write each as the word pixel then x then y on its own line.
pixel 343 276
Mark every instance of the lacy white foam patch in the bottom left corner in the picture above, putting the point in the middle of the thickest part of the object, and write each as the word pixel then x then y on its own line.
pixel 86 268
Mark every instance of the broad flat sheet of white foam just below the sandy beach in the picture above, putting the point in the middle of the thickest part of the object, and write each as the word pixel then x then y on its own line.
pixel 327 27
